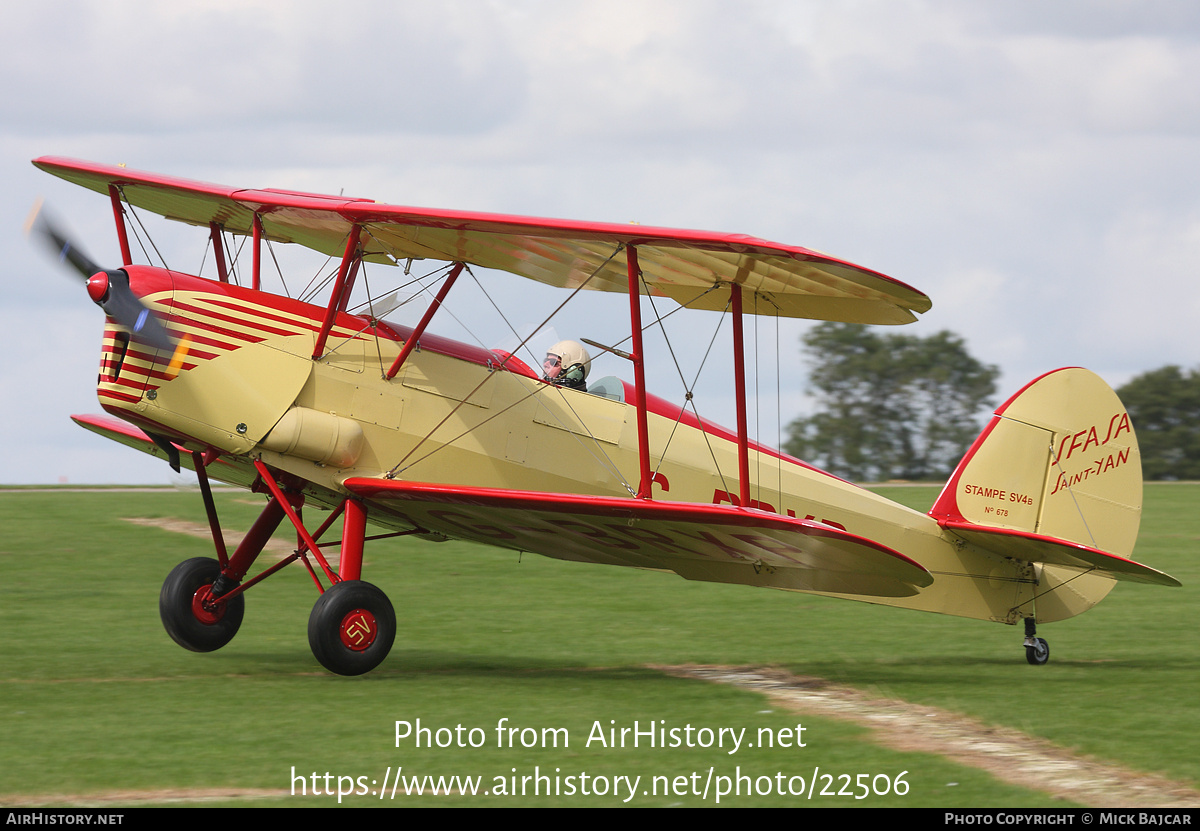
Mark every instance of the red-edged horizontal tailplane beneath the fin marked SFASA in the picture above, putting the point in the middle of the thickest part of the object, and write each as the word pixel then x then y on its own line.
pixel 1053 552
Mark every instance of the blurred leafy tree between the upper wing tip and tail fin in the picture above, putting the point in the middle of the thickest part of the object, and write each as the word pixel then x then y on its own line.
pixel 890 406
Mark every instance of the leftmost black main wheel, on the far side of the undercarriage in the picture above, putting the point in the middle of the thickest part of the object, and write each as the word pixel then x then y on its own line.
pixel 189 615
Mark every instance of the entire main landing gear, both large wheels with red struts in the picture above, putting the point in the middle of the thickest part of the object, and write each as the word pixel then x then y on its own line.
pixel 352 626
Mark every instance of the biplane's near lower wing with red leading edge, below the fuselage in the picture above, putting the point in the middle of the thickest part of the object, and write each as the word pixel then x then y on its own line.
pixel 699 542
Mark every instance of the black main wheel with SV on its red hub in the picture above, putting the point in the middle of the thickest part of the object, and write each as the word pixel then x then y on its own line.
pixel 352 627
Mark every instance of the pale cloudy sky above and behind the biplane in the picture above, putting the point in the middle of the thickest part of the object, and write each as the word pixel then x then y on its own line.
pixel 1033 168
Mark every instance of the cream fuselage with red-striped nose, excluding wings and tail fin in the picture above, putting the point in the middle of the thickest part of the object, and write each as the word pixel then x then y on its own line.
pixel 461 415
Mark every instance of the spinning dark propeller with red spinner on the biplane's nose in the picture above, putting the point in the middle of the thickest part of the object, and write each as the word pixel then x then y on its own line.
pixel 109 289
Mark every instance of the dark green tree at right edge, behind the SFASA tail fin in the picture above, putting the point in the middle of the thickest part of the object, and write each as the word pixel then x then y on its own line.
pixel 1165 406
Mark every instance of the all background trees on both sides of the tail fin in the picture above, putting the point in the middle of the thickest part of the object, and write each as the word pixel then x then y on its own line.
pixel 896 406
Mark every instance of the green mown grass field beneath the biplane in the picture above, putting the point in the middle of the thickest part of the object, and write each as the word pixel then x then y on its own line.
pixel 98 707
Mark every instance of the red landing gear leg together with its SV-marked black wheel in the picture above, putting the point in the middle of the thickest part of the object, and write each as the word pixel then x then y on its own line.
pixel 353 625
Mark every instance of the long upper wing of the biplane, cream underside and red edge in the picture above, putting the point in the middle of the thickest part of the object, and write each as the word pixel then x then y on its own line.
pixel 682 265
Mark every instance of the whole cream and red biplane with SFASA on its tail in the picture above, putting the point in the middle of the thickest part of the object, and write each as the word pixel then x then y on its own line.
pixel 322 404
